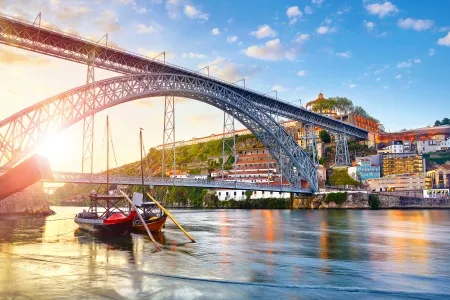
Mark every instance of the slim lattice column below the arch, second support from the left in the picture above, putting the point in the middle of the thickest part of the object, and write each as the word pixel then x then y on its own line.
pixel 168 152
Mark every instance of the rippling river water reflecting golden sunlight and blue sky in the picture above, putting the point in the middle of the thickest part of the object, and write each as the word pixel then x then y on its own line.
pixel 239 254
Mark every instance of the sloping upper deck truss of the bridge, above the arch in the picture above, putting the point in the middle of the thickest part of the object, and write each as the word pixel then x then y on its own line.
pixel 25 35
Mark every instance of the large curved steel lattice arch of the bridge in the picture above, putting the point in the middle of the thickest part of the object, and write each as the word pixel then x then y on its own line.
pixel 22 132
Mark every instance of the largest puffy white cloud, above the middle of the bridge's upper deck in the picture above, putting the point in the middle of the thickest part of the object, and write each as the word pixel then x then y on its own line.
pixel 272 50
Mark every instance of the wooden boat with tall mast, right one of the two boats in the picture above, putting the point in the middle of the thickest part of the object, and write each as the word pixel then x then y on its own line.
pixel 154 217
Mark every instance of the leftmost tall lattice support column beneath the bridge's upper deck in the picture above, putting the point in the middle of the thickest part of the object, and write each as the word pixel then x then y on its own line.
pixel 87 159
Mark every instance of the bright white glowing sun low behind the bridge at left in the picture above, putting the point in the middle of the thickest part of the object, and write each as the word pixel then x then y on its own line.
pixel 60 150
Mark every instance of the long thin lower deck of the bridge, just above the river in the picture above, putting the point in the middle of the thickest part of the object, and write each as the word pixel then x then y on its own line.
pixel 67 177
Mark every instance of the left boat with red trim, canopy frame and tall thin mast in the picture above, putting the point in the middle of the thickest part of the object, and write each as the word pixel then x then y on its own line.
pixel 107 214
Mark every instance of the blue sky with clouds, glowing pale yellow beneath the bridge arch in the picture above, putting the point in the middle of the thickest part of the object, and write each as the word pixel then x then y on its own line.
pixel 391 57
